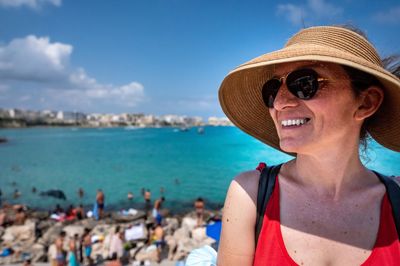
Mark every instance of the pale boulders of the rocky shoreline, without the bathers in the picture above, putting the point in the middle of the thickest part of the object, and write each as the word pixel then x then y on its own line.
pixel 32 240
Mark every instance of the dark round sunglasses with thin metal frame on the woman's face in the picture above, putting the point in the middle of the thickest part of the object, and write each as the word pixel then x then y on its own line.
pixel 302 83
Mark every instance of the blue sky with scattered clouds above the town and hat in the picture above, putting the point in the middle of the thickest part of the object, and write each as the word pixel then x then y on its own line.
pixel 156 56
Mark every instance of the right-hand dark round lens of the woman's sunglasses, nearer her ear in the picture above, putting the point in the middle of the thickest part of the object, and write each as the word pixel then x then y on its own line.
pixel 303 83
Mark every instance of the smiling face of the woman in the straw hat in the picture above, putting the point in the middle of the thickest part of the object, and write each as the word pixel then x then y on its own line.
pixel 328 116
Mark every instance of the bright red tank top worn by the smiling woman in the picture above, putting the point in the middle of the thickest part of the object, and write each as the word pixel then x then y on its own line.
pixel 271 248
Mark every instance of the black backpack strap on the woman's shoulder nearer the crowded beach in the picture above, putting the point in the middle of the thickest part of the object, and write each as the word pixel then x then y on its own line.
pixel 266 186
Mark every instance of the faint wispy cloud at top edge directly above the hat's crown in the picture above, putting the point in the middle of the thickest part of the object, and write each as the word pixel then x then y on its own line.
pixel 313 10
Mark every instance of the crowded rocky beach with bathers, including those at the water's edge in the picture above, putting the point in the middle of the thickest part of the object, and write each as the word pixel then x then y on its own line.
pixel 98 236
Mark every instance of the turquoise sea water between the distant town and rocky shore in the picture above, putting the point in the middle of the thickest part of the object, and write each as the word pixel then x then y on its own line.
pixel 118 160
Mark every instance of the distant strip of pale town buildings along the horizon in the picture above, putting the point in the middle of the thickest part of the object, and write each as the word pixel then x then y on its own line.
pixel 14 118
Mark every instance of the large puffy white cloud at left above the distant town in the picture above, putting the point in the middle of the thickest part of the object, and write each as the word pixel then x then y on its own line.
pixel 37 67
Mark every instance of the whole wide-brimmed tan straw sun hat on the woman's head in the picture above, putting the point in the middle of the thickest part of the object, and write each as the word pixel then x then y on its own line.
pixel 240 92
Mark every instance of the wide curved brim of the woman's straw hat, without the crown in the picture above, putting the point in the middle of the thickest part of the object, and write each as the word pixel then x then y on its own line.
pixel 241 100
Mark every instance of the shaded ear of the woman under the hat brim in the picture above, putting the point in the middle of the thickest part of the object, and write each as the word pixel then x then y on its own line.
pixel 370 100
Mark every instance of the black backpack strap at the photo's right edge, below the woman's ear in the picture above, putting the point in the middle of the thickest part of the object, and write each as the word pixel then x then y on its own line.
pixel 393 192
